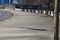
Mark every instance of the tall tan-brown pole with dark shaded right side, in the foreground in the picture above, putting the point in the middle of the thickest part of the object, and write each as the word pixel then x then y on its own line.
pixel 56 20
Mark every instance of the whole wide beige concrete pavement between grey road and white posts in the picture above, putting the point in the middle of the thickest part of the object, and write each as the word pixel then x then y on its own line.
pixel 21 25
